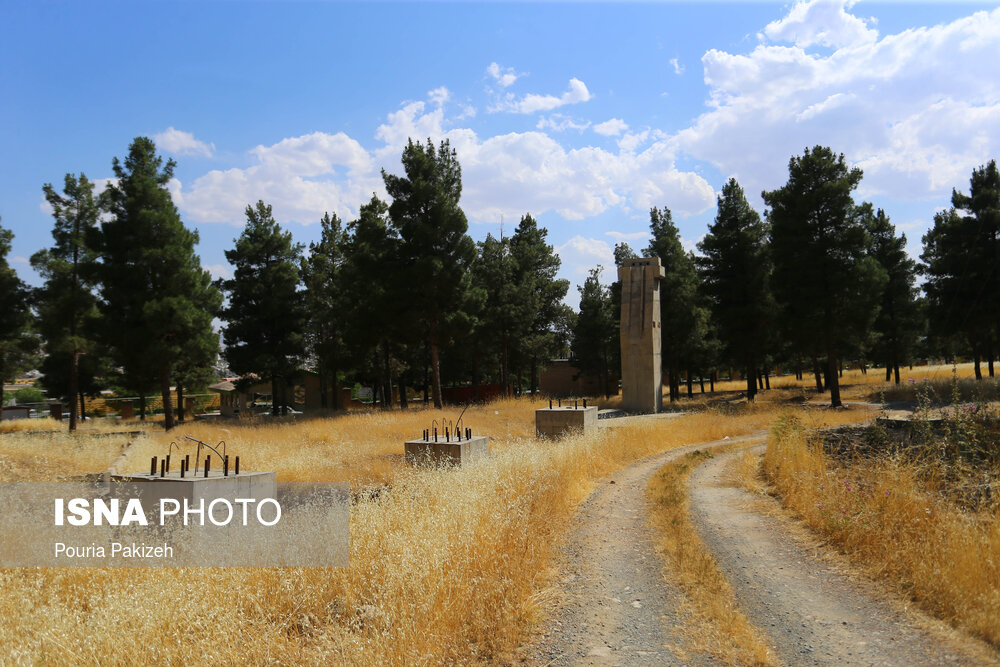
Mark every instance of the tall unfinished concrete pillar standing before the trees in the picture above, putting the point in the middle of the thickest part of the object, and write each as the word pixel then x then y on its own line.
pixel 642 374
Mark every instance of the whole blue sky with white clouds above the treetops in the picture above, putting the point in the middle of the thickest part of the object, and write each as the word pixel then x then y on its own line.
pixel 584 115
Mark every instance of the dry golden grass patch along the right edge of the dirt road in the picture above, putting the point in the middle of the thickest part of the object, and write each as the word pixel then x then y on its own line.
pixel 887 515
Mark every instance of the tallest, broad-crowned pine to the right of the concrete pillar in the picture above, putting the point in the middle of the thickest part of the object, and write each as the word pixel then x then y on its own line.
pixel 824 281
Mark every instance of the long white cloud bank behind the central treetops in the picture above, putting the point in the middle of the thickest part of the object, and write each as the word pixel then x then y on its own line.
pixel 507 174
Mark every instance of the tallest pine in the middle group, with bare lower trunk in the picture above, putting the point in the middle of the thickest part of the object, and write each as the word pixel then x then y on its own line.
pixel 435 251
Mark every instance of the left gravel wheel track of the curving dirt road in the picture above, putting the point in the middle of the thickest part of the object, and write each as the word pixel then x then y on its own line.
pixel 613 606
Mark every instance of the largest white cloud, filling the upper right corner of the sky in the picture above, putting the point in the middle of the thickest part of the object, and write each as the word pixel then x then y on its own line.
pixel 916 110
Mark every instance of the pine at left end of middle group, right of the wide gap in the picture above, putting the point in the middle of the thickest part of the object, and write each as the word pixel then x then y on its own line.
pixel 265 314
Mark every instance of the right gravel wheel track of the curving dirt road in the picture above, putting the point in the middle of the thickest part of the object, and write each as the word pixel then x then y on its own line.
pixel 813 613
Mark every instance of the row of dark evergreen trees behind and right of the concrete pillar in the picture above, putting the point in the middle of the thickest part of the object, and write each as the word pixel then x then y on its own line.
pixel 820 280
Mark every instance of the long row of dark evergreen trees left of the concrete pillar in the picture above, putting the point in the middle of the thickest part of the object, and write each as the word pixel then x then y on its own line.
pixel 400 296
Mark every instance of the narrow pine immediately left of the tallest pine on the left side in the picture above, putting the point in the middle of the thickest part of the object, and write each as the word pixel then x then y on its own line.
pixel 66 303
